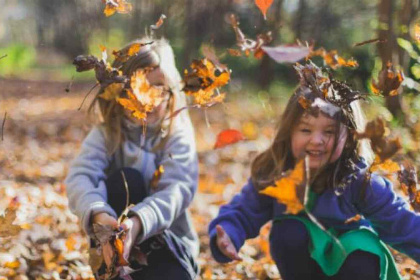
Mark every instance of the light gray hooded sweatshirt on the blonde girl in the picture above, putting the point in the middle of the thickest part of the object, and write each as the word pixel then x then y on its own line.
pixel 166 205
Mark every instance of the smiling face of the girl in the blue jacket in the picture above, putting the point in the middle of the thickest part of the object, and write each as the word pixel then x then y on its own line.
pixel 314 136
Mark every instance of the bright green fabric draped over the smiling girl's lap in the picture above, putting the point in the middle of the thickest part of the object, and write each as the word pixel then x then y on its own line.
pixel 330 254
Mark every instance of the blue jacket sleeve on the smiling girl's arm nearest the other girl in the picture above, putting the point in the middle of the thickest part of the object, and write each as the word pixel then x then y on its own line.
pixel 242 219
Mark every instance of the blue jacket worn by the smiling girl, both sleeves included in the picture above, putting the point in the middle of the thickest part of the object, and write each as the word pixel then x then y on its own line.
pixel 382 209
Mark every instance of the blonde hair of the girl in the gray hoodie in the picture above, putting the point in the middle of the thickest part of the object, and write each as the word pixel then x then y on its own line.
pixel 157 54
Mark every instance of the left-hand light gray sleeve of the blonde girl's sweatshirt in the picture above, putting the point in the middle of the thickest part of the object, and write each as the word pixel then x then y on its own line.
pixel 85 184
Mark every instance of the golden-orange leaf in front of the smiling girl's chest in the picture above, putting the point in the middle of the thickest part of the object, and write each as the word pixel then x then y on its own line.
pixel 285 189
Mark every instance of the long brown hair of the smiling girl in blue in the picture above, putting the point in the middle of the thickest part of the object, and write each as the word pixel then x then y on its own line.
pixel 278 158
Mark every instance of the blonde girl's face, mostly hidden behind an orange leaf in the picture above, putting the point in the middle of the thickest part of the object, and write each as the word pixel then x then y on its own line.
pixel 155 78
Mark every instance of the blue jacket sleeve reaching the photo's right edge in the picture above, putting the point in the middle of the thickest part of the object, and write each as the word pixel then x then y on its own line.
pixel 391 217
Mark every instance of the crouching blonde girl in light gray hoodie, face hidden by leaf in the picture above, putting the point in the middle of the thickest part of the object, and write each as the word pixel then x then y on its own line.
pixel 117 163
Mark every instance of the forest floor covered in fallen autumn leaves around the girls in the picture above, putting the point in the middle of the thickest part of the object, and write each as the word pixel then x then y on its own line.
pixel 42 134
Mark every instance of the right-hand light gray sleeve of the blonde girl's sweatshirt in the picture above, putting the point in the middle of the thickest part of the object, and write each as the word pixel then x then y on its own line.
pixel 175 189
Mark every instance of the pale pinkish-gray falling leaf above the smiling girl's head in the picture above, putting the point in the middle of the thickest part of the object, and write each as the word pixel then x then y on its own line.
pixel 283 53
